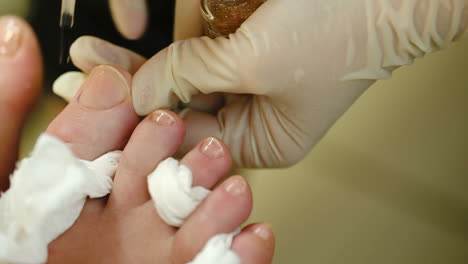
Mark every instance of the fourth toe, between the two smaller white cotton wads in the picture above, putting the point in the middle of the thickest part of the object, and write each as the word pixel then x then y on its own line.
pixel 226 208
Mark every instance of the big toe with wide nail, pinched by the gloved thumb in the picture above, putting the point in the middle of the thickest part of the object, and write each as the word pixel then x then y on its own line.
pixel 101 117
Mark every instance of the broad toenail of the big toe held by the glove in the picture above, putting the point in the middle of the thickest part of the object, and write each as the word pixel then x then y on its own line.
pixel 105 88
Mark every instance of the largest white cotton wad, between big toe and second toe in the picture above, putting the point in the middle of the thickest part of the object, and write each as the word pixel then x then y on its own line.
pixel 48 191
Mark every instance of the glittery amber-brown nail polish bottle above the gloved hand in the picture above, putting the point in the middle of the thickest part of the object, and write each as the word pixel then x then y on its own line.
pixel 223 17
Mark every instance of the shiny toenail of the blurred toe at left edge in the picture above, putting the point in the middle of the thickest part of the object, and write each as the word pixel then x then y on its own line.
pixel 10 36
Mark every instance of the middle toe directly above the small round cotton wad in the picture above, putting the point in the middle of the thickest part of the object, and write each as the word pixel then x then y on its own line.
pixel 209 161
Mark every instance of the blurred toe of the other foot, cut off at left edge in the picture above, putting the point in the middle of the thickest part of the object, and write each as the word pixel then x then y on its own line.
pixel 20 85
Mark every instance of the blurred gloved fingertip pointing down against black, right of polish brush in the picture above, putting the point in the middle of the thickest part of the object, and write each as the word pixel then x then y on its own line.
pixel 130 17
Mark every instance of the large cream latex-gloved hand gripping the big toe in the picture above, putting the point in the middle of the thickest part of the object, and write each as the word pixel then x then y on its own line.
pixel 290 71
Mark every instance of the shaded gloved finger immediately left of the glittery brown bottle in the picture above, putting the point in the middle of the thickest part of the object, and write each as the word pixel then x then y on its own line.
pixel 188 22
